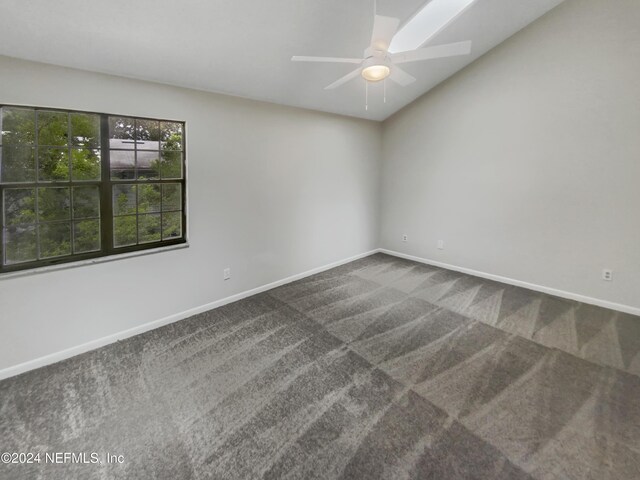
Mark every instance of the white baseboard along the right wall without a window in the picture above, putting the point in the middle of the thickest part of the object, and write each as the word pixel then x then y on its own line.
pixel 518 283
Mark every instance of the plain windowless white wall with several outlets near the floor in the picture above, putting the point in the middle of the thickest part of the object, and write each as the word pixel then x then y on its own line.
pixel 527 163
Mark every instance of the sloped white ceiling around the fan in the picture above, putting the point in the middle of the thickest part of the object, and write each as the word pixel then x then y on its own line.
pixel 244 47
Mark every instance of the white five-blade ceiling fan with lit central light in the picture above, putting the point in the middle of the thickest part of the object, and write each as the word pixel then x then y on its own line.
pixel 378 63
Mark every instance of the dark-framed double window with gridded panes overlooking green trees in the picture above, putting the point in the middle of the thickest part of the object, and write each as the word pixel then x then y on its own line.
pixel 77 185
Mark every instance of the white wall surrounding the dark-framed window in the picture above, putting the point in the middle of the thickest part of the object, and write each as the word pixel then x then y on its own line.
pixel 273 192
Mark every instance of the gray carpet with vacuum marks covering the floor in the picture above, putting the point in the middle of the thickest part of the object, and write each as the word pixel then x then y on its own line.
pixel 382 368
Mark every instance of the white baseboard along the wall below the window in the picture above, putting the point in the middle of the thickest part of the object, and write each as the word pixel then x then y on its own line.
pixel 101 342
